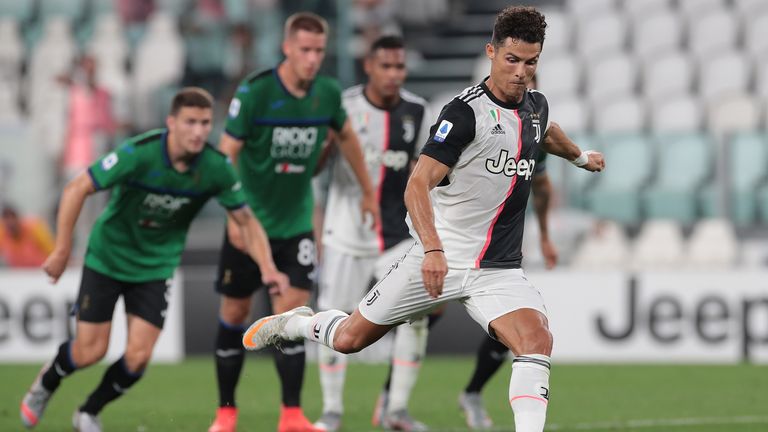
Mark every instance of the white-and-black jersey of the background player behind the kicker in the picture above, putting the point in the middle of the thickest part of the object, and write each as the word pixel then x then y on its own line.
pixel 390 140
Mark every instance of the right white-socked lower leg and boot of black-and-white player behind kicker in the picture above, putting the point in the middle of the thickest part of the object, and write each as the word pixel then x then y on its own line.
pixel 409 349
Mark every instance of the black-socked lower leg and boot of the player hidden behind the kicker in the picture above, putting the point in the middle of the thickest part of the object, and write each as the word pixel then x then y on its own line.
pixel 490 356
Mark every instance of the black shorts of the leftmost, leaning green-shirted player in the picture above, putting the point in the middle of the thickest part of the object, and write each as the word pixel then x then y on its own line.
pixel 99 293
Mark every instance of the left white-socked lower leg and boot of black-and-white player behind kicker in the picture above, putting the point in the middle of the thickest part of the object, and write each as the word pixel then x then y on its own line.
pixel 333 369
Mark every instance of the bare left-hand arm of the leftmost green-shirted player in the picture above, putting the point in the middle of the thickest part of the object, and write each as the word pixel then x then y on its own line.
pixel 72 199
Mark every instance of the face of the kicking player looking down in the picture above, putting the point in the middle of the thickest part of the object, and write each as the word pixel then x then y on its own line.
pixel 513 65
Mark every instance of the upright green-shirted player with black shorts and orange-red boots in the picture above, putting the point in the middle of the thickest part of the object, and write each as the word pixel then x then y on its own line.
pixel 277 123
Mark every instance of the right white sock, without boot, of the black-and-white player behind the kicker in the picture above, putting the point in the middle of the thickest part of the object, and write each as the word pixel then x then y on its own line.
pixel 409 349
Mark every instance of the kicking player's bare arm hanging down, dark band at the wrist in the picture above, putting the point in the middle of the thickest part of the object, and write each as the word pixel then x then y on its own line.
pixel 425 176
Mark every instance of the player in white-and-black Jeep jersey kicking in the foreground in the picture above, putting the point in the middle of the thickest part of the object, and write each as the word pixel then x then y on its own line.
pixel 466 202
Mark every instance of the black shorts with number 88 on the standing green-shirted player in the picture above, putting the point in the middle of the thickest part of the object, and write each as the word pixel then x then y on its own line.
pixel 239 276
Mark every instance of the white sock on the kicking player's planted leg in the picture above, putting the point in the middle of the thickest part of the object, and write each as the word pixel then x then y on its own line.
pixel 529 391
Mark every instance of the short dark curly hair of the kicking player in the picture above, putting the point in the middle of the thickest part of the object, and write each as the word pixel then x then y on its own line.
pixel 519 22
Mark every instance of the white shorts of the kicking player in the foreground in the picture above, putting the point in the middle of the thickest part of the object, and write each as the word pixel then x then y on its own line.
pixel 486 293
